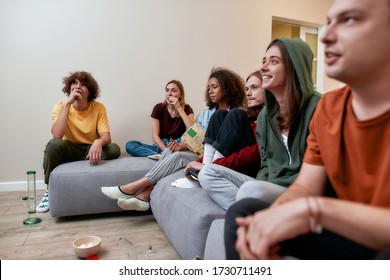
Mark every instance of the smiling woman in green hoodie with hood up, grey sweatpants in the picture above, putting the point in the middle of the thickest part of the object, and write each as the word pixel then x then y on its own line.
pixel 282 127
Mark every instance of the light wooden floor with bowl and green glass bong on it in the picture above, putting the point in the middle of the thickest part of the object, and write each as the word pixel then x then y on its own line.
pixel 125 235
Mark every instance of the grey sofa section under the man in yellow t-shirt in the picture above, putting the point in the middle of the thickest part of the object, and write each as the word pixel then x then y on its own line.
pixel 74 188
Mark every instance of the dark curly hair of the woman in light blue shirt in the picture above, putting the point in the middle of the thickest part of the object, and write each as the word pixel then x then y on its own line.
pixel 232 85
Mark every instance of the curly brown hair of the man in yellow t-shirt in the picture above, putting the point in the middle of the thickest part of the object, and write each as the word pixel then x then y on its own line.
pixel 86 79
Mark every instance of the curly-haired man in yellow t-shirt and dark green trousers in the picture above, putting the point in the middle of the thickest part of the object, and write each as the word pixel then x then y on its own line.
pixel 80 129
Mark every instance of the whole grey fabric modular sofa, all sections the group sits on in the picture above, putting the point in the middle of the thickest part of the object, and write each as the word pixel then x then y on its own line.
pixel 185 215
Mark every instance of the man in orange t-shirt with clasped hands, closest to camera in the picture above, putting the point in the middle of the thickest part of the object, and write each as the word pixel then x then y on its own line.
pixel 347 146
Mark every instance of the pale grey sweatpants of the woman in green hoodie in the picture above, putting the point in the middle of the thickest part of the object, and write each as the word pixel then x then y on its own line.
pixel 225 186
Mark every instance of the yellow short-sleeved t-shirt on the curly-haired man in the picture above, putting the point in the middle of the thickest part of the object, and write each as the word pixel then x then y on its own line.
pixel 84 127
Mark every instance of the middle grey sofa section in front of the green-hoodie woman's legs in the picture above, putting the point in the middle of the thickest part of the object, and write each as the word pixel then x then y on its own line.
pixel 185 215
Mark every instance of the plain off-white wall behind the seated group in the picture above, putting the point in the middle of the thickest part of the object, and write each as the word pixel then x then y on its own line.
pixel 132 48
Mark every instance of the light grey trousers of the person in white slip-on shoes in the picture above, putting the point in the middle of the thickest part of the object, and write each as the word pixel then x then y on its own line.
pixel 169 163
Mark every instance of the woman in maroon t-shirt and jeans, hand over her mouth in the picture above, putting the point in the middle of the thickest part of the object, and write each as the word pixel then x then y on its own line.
pixel 170 119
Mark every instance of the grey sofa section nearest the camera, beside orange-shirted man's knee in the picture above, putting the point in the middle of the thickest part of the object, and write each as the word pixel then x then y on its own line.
pixel 215 247
